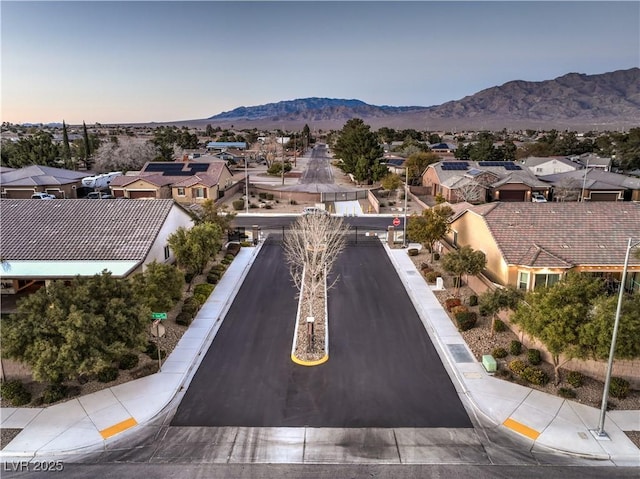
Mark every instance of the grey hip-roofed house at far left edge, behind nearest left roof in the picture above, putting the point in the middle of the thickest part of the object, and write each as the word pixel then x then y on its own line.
pixel 24 182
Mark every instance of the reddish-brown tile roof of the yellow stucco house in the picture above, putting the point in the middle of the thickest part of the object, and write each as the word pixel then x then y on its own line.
pixel 562 234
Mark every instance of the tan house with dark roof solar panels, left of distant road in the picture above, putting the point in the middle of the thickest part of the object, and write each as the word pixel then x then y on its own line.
pixel 187 182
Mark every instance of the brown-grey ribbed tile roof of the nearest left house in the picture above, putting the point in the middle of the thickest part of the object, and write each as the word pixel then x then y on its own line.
pixel 80 229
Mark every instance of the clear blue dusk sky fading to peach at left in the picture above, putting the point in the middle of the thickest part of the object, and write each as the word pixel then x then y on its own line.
pixel 125 62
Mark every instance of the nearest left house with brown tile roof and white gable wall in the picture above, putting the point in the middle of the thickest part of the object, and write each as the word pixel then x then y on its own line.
pixel 48 240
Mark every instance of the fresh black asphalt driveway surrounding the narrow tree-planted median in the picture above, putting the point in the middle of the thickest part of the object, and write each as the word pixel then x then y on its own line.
pixel 383 370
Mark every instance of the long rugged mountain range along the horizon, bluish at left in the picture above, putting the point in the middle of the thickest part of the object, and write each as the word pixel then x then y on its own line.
pixel 574 101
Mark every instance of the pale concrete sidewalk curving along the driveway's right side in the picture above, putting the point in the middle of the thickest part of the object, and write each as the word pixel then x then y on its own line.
pixel 544 420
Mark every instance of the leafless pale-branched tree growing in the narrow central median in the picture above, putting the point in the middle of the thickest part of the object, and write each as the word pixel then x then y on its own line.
pixel 312 246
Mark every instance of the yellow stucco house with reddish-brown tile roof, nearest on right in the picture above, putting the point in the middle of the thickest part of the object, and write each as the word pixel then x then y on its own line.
pixel 528 245
